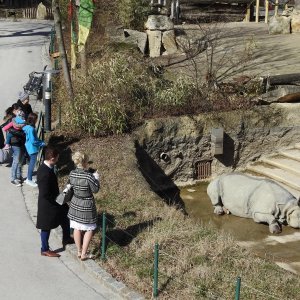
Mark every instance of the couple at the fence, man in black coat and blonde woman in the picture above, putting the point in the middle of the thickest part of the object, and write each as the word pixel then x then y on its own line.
pixel 80 214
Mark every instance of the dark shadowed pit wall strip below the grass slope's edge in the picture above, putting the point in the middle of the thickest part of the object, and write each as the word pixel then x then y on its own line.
pixel 159 182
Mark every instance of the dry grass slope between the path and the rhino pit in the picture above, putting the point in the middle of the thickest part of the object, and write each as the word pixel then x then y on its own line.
pixel 196 261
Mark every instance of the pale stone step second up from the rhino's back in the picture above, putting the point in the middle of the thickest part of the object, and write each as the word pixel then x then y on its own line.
pixel 282 162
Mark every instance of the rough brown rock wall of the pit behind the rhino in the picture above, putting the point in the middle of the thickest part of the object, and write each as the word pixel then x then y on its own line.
pixel 170 149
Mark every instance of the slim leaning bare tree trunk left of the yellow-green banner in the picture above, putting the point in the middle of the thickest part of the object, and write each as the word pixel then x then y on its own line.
pixel 61 47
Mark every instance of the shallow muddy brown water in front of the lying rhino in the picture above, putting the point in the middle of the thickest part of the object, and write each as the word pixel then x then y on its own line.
pixel 282 249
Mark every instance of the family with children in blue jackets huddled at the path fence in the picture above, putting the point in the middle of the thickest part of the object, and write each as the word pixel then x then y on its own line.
pixel 21 139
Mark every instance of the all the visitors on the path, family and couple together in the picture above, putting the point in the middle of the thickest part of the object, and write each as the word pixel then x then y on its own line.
pixel 80 213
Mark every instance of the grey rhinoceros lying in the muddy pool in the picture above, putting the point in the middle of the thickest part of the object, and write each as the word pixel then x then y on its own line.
pixel 251 197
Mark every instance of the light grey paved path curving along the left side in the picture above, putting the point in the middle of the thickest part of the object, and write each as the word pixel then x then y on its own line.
pixel 24 273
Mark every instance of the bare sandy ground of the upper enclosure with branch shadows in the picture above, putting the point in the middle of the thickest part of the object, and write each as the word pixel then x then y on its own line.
pixel 270 54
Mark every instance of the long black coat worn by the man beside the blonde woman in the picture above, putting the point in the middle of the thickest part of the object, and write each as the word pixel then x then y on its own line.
pixel 50 214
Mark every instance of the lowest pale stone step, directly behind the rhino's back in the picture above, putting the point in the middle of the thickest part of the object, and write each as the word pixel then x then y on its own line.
pixel 277 174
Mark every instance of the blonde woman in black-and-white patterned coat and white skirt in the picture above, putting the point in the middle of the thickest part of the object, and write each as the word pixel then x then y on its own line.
pixel 82 211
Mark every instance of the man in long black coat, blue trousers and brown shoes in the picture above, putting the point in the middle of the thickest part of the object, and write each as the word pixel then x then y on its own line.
pixel 50 214
